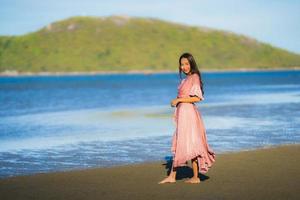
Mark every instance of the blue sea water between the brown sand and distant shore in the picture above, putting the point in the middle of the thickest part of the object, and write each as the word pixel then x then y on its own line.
pixel 59 123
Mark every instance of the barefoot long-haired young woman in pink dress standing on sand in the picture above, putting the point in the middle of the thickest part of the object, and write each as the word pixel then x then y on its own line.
pixel 189 140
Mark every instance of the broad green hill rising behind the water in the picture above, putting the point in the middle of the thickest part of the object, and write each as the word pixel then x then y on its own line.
pixel 123 43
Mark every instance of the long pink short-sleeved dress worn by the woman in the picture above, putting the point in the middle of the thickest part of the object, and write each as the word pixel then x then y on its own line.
pixel 189 139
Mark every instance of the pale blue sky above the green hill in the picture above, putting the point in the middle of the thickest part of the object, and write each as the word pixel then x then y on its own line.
pixel 276 22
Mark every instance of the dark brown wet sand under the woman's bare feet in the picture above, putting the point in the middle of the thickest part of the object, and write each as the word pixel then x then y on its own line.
pixel 272 173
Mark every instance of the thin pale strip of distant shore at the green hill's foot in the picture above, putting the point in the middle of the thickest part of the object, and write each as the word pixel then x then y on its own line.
pixel 16 73
